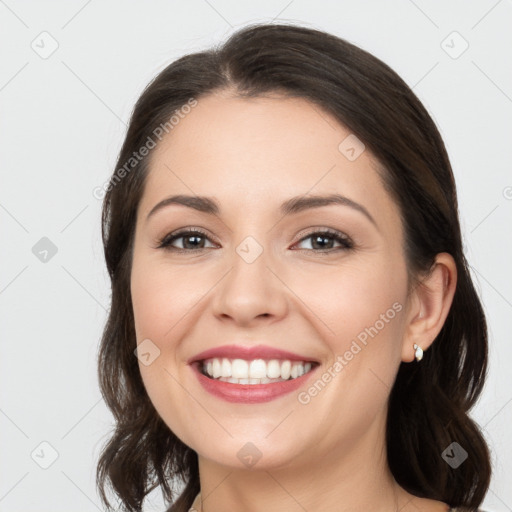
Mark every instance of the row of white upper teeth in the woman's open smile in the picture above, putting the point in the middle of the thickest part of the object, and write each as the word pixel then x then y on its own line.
pixel 257 371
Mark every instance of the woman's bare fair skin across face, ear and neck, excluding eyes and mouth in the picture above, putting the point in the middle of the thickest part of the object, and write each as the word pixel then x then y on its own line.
pixel 251 155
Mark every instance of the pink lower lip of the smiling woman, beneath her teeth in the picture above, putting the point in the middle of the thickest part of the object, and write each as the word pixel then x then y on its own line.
pixel 249 393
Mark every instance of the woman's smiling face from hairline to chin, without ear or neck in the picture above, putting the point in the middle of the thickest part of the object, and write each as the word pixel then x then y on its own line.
pixel 260 275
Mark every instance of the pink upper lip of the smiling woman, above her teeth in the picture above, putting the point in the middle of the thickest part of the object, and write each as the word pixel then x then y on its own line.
pixel 248 353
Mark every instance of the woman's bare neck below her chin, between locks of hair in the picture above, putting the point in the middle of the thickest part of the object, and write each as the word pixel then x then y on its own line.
pixel 354 477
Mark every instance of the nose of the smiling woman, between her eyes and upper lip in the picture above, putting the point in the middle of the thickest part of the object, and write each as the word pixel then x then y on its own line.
pixel 252 291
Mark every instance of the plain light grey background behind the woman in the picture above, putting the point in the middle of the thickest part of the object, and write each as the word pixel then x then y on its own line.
pixel 62 121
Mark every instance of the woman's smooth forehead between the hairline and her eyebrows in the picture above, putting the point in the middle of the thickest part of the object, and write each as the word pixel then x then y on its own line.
pixel 250 152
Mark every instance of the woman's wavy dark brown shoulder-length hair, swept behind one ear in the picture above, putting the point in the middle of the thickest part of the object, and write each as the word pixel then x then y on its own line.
pixel 429 402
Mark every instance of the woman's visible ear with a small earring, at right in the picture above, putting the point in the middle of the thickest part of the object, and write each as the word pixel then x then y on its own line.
pixel 429 305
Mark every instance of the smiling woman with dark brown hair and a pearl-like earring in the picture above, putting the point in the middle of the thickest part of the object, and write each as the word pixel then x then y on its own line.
pixel 283 241
